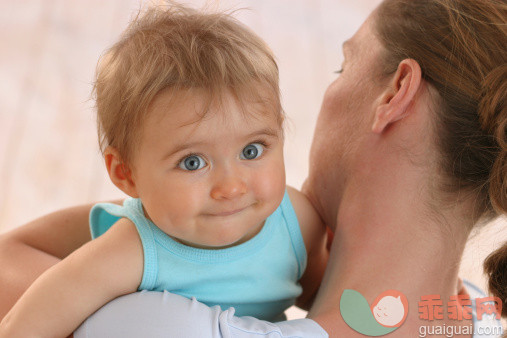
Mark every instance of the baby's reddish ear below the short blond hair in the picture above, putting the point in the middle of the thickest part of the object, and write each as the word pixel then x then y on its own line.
pixel 119 173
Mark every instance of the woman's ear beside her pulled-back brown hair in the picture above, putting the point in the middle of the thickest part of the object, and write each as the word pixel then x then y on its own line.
pixel 398 97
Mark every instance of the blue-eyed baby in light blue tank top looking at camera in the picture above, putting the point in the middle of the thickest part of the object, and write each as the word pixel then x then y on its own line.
pixel 190 125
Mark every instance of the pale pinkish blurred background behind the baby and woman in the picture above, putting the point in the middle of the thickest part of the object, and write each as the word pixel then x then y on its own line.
pixel 49 157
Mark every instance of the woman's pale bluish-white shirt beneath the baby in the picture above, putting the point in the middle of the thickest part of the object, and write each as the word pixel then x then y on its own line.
pixel 157 314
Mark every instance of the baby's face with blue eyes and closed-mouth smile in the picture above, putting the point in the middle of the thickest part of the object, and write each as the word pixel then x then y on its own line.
pixel 211 181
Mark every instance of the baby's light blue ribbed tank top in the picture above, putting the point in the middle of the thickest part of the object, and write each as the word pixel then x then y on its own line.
pixel 258 278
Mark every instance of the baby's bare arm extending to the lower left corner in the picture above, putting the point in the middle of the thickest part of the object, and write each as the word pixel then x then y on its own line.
pixel 66 294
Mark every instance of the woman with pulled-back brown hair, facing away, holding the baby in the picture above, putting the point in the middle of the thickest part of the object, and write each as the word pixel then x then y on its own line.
pixel 409 154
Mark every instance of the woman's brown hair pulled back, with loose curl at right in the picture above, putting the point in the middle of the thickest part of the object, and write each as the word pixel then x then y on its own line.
pixel 461 48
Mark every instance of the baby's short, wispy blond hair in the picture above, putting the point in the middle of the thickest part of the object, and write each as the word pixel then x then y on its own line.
pixel 174 46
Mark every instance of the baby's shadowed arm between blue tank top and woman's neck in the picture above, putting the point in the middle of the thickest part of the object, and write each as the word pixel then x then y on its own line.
pixel 314 236
